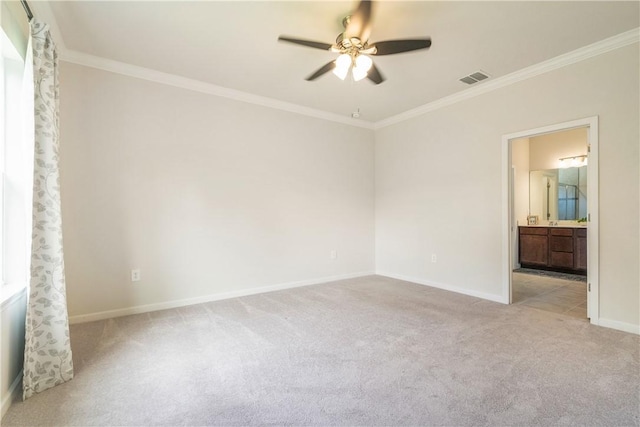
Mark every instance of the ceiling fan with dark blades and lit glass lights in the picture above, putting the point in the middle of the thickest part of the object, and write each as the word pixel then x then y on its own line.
pixel 354 47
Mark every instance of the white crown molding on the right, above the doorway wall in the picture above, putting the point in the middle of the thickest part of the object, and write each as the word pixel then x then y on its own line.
pixel 578 55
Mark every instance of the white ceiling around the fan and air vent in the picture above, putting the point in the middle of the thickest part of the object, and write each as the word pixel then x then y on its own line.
pixel 233 44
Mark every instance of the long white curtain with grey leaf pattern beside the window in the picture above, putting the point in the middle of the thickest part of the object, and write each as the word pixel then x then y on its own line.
pixel 47 357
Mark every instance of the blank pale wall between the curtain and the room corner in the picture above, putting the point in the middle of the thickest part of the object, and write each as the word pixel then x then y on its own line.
pixel 206 195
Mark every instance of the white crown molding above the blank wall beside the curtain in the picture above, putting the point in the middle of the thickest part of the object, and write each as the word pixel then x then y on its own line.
pixel 148 74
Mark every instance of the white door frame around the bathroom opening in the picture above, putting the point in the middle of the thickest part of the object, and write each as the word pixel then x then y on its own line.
pixel 509 226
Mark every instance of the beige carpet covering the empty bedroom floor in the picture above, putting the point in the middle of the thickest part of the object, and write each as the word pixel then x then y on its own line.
pixel 368 351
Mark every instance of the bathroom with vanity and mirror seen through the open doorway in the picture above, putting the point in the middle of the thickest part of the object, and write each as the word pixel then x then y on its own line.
pixel 550 210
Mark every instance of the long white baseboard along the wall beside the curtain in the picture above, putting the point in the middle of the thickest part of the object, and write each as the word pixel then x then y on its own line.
pixel 91 317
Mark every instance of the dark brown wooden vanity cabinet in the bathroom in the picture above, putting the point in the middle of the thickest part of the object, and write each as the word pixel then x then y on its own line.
pixel 553 248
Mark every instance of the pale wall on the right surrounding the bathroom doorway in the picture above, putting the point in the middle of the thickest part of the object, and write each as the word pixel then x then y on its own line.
pixel 438 181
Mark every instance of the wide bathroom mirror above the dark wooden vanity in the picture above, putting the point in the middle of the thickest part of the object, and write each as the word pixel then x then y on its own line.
pixel 558 194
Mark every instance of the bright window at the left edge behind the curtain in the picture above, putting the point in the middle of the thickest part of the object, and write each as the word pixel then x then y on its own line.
pixel 16 153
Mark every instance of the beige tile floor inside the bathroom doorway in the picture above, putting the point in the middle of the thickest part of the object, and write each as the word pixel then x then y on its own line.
pixel 562 296
